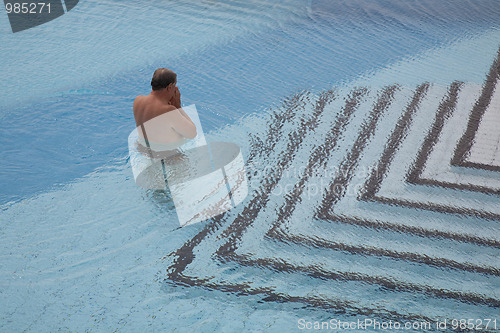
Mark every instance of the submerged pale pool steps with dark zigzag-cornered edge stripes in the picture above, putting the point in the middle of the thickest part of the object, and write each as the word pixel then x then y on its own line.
pixel 390 235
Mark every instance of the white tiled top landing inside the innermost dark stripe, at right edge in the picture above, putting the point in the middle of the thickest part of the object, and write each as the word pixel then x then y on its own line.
pixel 486 146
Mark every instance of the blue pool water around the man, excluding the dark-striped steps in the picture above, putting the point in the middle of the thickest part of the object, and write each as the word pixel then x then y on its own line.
pixel 66 111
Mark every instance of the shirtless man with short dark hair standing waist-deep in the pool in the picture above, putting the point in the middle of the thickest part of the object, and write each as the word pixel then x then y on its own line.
pixel 160 115
